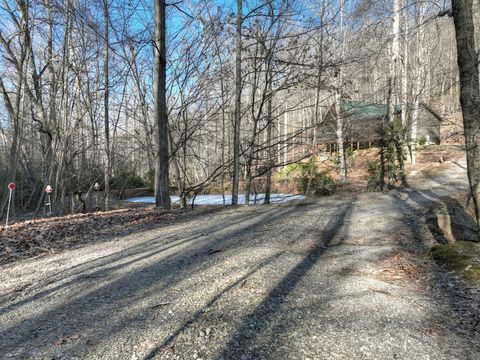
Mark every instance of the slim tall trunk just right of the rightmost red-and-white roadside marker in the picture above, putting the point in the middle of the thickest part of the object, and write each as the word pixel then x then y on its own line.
pixel 108 157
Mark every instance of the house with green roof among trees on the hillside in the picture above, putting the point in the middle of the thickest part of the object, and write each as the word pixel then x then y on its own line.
pixel 362 125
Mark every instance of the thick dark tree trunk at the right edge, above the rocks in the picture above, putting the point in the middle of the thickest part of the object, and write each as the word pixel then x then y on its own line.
pixel 467 59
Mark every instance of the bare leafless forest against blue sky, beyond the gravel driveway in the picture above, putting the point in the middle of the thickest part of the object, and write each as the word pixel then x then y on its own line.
pixel 185 95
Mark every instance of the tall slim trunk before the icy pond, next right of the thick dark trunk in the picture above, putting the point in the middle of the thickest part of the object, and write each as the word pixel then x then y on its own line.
pixel 238 105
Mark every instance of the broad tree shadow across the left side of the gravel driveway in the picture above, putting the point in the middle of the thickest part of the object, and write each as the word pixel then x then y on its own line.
pixel 81 311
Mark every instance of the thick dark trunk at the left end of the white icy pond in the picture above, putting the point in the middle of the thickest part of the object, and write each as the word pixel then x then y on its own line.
pixel 162 197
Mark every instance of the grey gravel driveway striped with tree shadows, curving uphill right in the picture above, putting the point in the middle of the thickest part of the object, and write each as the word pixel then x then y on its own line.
pixel 335 278
